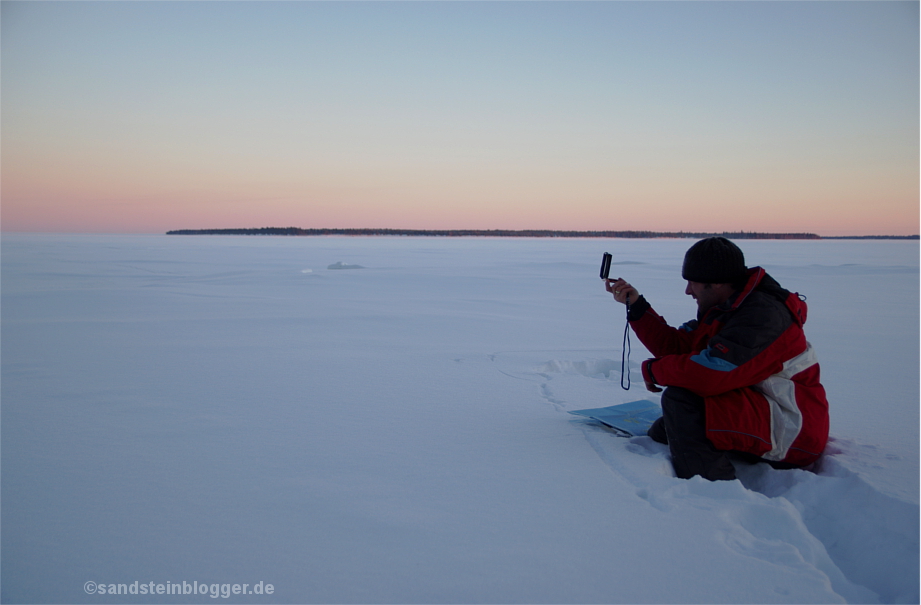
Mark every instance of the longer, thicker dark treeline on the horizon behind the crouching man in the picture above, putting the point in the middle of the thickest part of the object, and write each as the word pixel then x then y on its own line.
pixel 491 233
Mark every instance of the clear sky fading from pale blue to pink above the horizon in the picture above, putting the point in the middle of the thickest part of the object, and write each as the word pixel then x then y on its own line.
pixel 142 117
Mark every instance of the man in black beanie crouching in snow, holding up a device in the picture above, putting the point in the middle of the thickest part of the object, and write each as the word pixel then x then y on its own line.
pixel 741 377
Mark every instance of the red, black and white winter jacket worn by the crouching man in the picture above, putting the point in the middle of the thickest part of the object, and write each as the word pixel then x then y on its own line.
pixel 750 360
